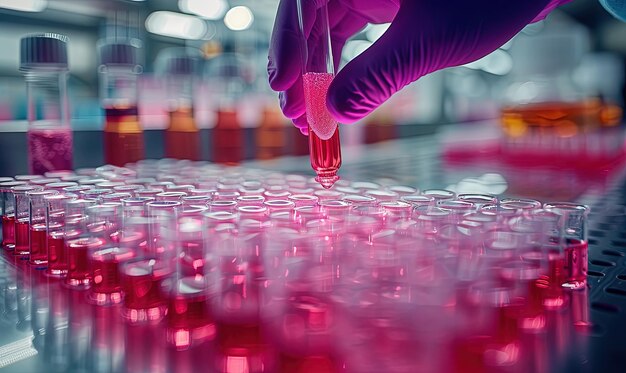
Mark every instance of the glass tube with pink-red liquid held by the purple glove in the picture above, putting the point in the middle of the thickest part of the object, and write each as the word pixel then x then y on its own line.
pixel 318 72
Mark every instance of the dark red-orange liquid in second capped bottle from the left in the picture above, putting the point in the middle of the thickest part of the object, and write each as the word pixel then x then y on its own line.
pixel 123 136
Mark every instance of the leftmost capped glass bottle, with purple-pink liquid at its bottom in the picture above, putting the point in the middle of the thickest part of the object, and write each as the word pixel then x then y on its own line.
pixel 43 62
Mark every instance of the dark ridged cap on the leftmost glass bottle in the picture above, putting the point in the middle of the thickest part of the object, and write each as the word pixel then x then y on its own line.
pixel 48 50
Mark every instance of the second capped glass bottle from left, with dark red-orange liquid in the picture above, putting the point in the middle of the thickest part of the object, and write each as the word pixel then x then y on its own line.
pixel 119 70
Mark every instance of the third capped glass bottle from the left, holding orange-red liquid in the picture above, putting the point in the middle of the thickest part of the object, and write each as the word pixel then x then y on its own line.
pixel 179 67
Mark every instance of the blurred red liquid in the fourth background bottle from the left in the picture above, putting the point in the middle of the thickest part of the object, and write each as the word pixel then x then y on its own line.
pixel 228 145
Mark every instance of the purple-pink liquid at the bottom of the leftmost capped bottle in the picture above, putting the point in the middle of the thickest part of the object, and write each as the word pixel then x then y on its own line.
pixel 49 150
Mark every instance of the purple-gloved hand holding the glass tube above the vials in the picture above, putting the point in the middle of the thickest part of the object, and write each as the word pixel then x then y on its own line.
pixel 424 36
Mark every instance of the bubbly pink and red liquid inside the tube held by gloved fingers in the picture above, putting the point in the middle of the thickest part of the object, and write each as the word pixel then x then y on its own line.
pixel 324 146
